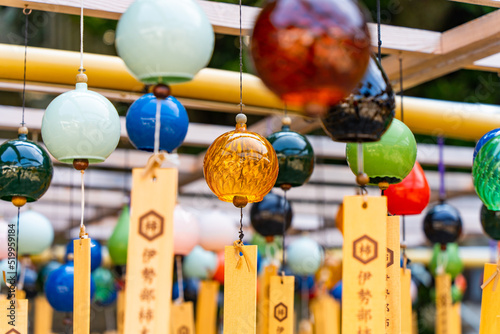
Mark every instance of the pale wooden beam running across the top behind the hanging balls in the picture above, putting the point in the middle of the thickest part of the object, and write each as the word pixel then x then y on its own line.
pixel 225 20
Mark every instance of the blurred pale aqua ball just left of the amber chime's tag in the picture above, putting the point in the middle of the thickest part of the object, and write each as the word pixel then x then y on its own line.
pixel 200 264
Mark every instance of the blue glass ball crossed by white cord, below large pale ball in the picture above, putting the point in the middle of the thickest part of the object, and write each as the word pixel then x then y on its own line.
pixel 141 122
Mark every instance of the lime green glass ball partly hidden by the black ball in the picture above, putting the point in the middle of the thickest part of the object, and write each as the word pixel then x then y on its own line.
pixel 388 160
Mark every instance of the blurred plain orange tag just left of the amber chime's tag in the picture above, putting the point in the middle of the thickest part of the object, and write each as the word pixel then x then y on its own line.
pixel 206 307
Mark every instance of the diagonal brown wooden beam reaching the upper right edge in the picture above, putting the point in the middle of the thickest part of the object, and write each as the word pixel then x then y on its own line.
pixel 461 47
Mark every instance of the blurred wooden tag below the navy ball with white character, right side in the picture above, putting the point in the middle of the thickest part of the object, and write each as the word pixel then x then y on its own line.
pixel 443 304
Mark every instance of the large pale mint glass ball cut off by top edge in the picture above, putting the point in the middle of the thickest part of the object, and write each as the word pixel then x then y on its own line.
pixel 165 41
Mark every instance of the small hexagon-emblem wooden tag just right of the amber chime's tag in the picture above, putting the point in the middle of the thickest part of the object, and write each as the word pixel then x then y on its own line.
pixel 281 310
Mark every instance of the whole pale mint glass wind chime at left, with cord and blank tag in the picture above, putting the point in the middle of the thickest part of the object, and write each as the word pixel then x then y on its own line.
pixel 81 127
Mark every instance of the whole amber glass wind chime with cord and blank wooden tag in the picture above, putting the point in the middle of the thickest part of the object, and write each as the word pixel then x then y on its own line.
pixel 240 167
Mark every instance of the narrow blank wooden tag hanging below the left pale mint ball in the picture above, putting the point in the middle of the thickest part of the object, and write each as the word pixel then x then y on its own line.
pixel 81 300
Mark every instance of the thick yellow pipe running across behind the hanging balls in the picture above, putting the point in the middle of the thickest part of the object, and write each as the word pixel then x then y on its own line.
pixel 424 116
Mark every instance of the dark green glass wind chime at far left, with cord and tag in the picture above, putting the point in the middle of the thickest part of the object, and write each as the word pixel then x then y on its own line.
pixel 25 174
